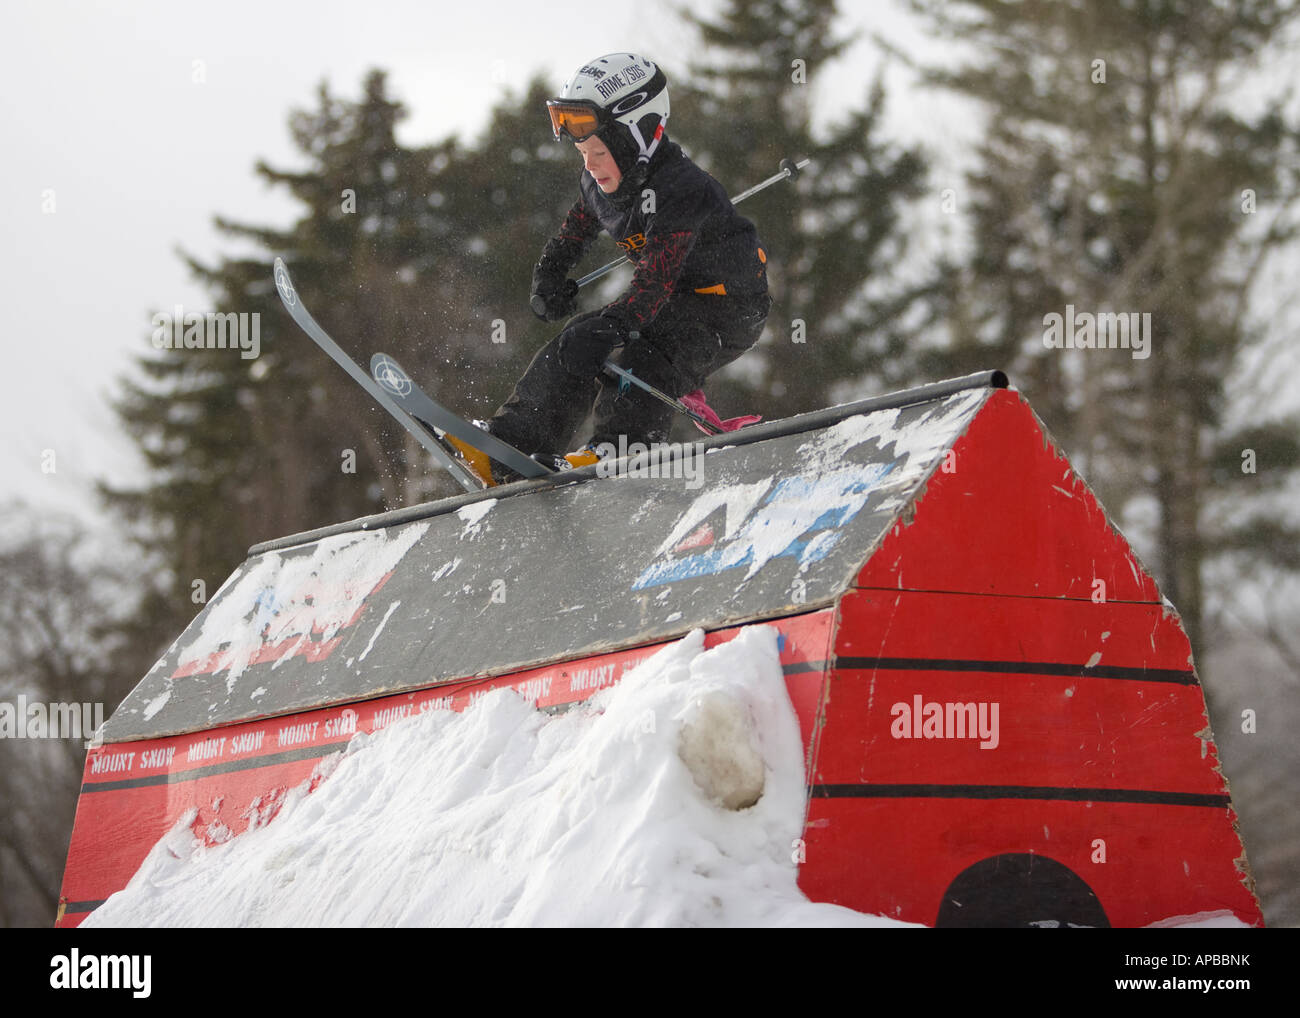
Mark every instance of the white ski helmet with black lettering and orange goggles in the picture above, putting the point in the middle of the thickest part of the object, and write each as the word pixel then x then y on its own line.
pixel 619 97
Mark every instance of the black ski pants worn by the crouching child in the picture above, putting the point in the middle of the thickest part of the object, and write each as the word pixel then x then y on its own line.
pixel 692 337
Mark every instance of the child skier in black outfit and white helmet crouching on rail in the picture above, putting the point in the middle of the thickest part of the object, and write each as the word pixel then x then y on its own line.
pixel 699 296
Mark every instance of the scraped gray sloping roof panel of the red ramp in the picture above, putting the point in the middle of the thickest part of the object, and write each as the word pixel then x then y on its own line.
pixel 548 571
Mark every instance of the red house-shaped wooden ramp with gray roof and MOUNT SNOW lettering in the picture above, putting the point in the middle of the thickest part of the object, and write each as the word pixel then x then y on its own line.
pixel 1003 722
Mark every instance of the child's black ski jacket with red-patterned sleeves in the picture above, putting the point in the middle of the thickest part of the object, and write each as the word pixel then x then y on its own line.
pixel 679 229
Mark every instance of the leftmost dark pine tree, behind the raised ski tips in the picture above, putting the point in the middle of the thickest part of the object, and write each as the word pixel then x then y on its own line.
pixel 248 448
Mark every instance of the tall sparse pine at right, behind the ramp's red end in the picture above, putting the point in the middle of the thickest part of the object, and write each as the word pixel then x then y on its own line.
pixel 1112 180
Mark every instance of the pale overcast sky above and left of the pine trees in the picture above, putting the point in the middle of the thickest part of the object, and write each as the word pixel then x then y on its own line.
pixel 129 125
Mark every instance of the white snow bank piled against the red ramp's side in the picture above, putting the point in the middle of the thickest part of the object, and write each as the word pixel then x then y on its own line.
pixel 674 799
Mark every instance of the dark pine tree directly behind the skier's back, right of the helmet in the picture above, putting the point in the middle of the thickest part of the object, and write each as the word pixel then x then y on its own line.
pixel 843 323
